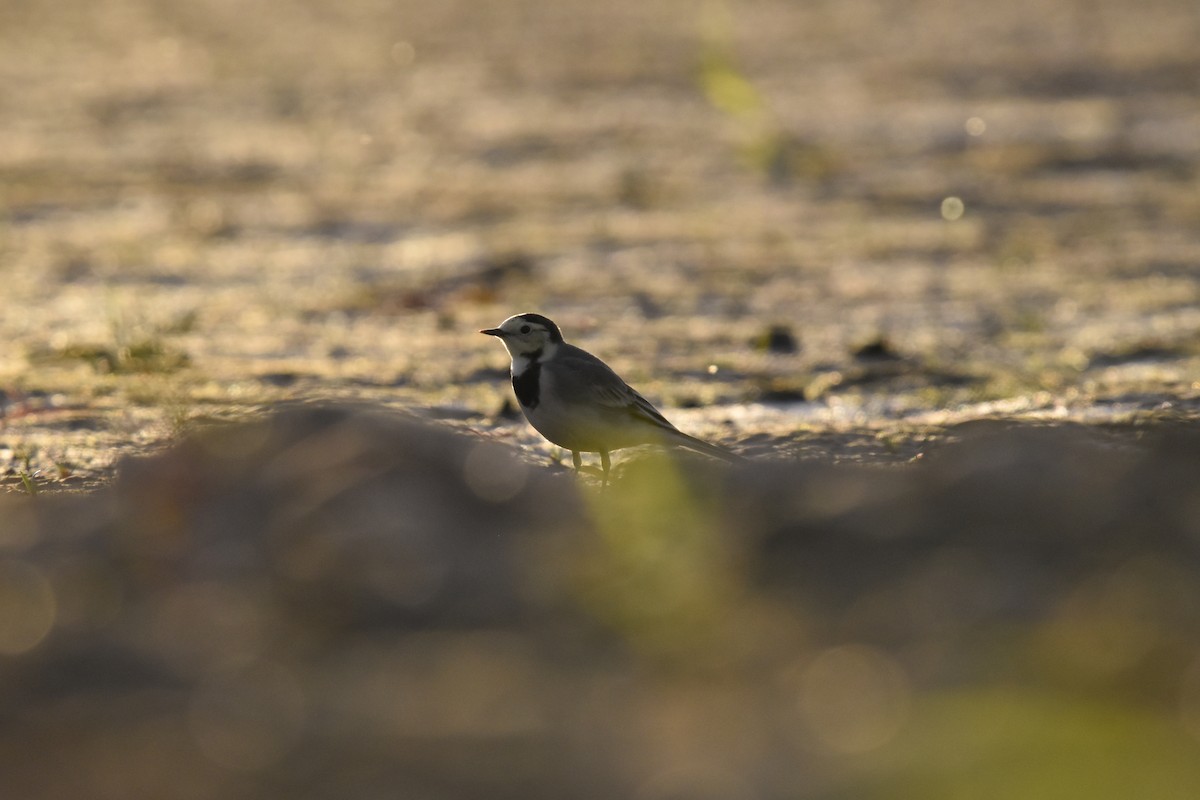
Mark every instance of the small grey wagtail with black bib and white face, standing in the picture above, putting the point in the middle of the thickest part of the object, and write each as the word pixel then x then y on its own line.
pixel 577 401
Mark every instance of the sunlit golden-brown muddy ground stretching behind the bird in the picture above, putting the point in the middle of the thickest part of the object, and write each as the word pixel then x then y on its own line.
pixel 946 210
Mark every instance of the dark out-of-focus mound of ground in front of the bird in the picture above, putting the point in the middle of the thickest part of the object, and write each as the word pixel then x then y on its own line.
pixel 351 605
